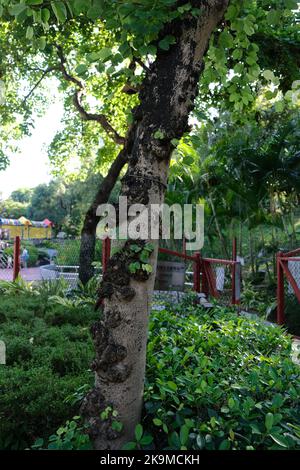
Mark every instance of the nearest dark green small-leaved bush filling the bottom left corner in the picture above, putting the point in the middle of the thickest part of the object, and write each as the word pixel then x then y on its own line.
pixel 32 403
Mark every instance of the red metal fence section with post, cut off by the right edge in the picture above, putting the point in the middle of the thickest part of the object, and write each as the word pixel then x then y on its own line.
pixel 288 282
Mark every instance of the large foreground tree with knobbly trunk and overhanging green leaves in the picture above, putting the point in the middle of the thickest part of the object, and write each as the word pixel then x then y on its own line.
pixel 154 51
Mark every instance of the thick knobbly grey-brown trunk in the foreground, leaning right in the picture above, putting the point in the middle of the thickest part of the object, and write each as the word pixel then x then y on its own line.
pixel 120 336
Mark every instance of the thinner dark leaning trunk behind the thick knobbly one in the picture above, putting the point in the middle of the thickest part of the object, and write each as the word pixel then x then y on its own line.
pixel 88 233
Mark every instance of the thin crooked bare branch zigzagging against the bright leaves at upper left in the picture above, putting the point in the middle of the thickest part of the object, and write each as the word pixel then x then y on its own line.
pixel 100 118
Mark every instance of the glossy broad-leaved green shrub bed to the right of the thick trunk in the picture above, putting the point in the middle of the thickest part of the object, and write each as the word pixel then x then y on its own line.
pixel 219 381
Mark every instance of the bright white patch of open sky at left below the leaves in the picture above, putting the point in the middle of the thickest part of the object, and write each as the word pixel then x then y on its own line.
pixel 30 166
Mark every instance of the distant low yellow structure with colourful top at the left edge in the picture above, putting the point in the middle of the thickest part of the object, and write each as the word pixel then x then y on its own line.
pixel 25 228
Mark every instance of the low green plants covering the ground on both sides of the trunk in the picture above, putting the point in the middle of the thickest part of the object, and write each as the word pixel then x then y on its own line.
pixel 214 380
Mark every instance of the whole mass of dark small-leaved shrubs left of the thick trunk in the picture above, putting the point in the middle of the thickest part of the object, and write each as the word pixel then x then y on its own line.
pixel 45 364
